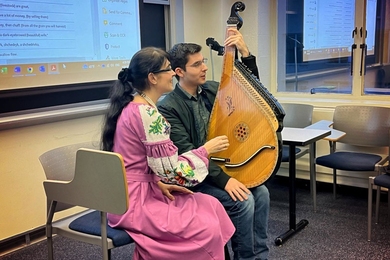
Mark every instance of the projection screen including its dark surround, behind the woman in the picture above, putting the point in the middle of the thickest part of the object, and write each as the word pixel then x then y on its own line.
pixel 55 53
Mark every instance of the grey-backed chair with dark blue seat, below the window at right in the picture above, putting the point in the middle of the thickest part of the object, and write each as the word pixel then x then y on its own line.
pixel 365 127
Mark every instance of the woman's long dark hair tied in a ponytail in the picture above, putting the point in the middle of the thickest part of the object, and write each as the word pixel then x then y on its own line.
pixel 131 79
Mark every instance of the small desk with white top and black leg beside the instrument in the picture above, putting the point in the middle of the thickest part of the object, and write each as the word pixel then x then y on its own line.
pixel 297 137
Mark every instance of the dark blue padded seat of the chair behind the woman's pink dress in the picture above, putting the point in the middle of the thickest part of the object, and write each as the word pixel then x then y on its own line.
pixel 90 224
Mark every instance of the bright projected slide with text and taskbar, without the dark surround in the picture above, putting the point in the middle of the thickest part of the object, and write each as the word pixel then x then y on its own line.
pixel 62 42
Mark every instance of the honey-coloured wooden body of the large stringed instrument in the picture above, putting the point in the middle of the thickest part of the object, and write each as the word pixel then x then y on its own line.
pixel 245 112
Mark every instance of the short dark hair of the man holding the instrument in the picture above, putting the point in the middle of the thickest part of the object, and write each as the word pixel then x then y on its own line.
pixel 178 55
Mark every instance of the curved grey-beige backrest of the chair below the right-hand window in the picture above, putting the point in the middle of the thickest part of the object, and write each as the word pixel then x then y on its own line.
pixel 364 125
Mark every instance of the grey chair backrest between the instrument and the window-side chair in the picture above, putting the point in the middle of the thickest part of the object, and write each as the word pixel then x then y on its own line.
pixel 297 115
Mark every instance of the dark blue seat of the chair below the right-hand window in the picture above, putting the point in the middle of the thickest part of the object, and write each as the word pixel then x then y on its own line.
pixel 349 161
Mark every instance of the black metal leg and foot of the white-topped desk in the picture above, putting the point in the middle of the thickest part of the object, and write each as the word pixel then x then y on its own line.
pixel 294 228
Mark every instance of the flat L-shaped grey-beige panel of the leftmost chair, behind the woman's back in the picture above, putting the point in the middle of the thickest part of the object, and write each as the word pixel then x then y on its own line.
pixel 99 183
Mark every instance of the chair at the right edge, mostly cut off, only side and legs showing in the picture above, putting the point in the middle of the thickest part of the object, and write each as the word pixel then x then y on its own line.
pixel 379 181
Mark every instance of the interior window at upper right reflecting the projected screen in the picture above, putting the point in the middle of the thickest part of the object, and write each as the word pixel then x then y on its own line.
pixel 332 46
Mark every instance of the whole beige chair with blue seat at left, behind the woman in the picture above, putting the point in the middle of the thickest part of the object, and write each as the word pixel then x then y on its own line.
pixel 96 180
